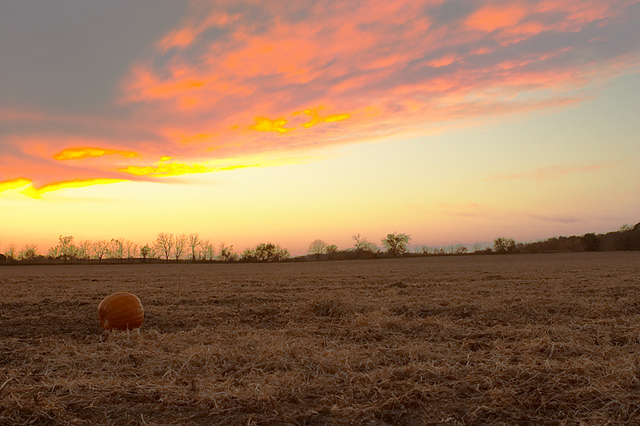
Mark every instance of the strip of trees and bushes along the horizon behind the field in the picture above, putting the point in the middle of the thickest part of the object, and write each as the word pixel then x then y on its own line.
pixel 191 247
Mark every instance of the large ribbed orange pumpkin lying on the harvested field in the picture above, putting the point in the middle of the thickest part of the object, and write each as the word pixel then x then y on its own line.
pixel 120 311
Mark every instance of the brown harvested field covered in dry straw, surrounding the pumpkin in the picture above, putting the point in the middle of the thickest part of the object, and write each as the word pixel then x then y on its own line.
pixel 521 339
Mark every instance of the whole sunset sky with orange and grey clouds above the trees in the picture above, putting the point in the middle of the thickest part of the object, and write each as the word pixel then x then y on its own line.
pixel 287 121
